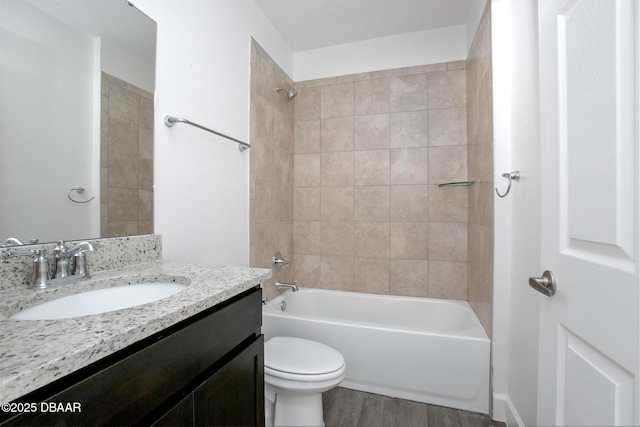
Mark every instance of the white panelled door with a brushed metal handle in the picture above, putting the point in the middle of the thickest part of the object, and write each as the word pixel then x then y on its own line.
pixel 589 331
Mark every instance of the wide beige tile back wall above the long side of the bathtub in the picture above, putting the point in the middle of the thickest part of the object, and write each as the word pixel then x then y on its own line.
pixel 369 153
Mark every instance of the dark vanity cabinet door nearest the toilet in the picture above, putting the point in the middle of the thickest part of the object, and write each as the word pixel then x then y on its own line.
pixel 234 396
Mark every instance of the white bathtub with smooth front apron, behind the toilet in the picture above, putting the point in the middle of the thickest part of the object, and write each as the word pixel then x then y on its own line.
pixel 427 350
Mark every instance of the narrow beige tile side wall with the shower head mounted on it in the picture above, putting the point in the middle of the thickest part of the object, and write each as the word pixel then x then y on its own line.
pixel 271 168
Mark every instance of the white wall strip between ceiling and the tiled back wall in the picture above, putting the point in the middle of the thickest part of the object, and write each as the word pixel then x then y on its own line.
pixel 405 50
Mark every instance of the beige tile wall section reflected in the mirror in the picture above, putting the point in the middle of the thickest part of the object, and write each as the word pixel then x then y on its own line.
pixel 126 159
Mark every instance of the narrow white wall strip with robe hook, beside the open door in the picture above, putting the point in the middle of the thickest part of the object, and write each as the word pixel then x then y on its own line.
pixel 517 216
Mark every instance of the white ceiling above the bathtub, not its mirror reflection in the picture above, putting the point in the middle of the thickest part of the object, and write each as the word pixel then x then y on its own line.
pixel 313 24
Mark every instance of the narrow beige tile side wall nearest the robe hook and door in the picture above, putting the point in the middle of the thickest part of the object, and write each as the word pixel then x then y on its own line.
pixel 481 194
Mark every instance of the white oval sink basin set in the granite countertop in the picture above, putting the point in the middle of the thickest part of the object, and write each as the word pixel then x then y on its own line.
pixel 100 301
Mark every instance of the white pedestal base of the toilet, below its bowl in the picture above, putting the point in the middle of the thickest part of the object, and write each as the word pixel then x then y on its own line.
pixel 298 410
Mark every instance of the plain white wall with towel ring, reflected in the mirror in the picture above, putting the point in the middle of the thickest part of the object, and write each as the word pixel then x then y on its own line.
pixel 46 116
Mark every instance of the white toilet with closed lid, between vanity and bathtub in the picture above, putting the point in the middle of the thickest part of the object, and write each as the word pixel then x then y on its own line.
pixel 296 372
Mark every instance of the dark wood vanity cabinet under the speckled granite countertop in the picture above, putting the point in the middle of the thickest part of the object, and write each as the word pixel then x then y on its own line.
pixel 206 371
